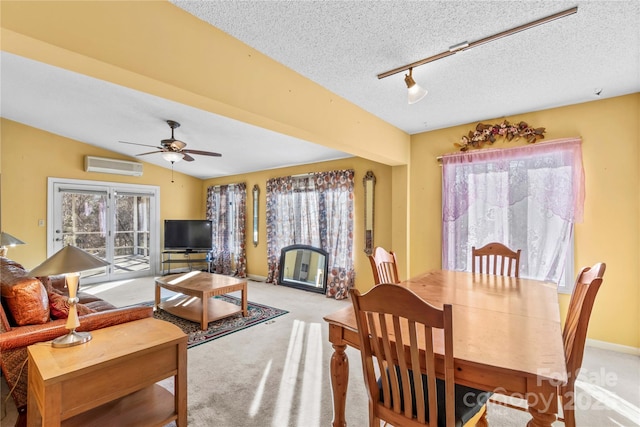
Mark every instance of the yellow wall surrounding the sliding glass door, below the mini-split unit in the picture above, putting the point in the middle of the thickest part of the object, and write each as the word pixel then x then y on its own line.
pixel 30 156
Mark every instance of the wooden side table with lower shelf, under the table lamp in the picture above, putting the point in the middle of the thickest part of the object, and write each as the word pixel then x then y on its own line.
pixel 111 380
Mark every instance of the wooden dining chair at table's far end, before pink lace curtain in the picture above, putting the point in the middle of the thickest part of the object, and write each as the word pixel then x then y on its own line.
pixel 497 259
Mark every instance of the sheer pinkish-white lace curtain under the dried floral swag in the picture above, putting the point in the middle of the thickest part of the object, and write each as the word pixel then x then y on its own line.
pixel 525 197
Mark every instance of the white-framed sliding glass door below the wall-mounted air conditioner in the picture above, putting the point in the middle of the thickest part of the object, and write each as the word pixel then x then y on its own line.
pixel 116 222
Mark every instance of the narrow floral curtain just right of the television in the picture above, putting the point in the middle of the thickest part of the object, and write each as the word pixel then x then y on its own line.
pixel 227 207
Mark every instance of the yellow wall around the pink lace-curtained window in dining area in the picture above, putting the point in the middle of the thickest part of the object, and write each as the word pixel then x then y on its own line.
pixel 611 229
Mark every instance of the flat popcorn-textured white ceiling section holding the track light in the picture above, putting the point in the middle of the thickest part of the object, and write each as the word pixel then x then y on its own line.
pixel 344 45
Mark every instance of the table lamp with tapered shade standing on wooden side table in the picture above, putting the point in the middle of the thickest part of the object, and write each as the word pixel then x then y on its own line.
pixel 69 261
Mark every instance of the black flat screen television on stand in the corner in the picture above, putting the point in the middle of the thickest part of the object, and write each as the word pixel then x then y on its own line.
pixel 187 234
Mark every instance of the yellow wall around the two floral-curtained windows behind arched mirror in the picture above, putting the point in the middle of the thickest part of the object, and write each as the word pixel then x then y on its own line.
pixel 257 256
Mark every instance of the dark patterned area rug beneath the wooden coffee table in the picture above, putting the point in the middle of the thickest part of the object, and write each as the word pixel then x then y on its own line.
pixel 258 313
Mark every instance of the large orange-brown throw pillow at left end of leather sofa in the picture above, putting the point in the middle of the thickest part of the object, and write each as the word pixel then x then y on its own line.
pixel 27 301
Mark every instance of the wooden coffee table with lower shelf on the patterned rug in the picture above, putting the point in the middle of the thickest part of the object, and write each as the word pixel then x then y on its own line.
pixel 199 289
